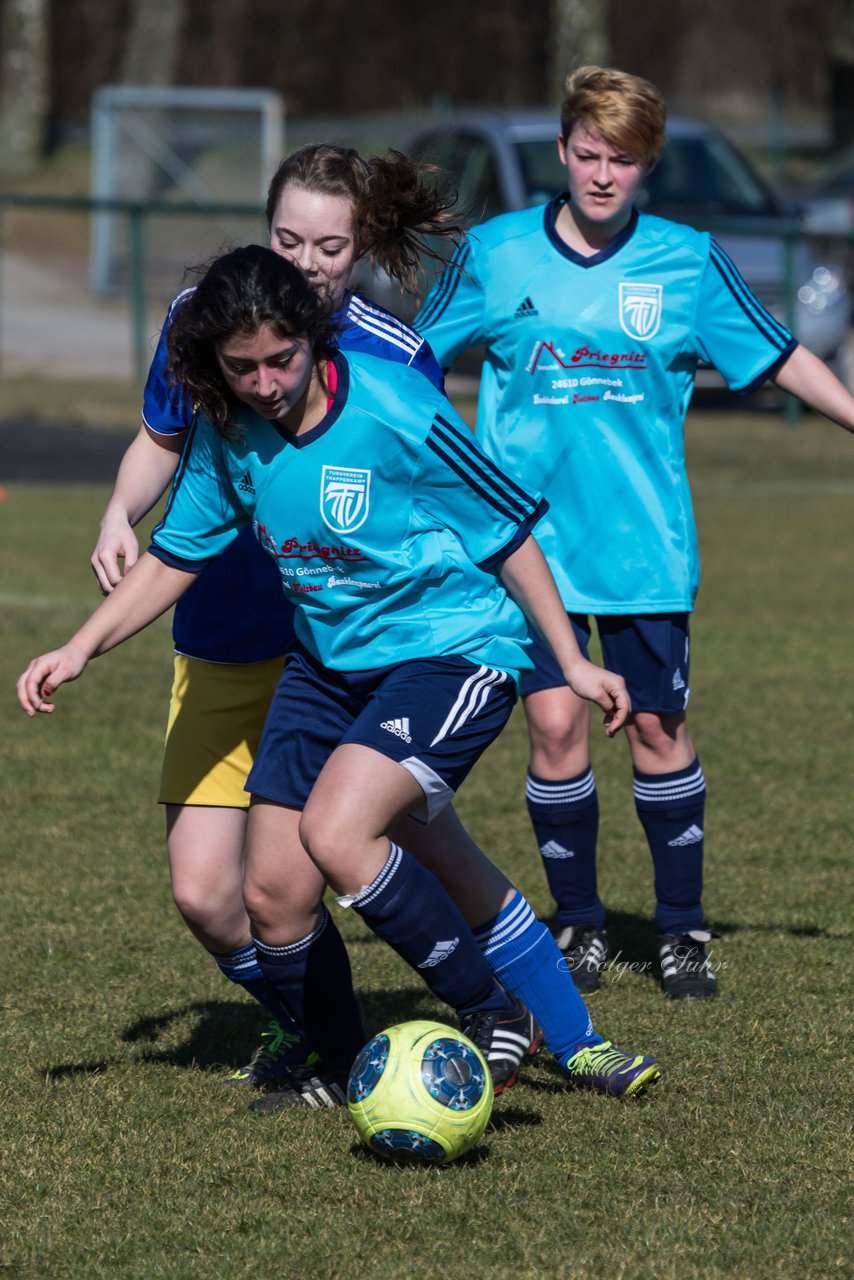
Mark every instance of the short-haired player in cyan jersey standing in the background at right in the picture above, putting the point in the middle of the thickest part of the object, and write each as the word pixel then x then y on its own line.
pixel 595 318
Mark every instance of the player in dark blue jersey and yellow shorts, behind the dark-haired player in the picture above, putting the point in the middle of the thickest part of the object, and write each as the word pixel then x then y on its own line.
pixel 326 208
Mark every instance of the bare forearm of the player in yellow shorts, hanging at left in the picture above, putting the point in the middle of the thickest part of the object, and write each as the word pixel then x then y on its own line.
pixel 145 473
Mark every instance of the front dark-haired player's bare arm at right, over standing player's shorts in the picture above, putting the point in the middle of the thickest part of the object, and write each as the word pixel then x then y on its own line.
pixel 529 580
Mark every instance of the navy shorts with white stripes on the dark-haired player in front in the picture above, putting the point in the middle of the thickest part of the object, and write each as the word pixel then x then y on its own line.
pixel 435 716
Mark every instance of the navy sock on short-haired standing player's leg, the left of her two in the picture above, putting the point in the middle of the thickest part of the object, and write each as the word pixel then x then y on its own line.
pixel 565 817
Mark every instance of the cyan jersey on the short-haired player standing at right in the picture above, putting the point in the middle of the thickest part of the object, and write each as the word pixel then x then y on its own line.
pixel 588 376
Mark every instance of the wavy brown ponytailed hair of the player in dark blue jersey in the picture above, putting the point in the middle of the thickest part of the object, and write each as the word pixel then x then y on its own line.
pixel 399 207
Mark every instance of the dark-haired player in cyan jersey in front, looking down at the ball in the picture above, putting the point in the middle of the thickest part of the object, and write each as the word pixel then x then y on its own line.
pixel 392 534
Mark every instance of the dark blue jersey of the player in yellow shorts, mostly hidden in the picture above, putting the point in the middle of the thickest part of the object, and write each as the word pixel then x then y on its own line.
pixel 259 623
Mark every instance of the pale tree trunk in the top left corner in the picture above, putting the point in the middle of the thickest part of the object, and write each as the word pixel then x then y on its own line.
pixel 24 84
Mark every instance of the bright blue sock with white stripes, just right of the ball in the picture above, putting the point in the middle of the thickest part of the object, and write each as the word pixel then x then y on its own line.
pixel 526 958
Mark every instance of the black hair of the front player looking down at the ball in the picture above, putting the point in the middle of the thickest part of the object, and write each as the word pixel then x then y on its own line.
pixel 238 294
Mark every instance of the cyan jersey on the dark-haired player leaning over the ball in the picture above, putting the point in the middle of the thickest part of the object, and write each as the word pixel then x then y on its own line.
pixel 386 523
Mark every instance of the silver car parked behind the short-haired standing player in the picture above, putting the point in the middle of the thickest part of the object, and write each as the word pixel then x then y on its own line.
pixel 508 162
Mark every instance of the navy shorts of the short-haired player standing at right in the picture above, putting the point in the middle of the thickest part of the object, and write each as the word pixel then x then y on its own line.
pixel 650 651
